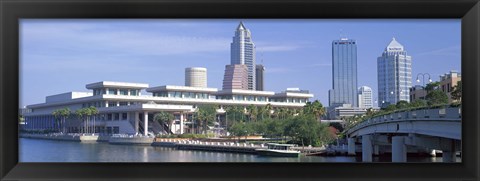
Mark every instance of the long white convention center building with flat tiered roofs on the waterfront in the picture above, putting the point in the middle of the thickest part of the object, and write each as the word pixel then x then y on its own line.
pixel 122 109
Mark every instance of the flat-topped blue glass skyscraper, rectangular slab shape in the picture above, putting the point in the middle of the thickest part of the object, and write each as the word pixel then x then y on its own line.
pixel 344 73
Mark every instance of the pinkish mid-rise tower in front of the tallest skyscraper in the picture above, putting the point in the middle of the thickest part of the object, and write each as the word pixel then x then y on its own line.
pixel 236 77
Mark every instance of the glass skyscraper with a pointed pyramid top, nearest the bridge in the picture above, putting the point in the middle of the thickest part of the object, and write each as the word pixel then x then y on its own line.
pixel 394 71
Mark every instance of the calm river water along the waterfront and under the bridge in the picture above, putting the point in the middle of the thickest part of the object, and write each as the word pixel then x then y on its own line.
pixel 37 150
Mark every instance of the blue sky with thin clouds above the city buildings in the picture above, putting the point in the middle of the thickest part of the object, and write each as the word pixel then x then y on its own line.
pixel 59 56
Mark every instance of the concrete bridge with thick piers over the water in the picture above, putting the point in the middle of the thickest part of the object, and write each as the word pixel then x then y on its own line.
pixel 428 129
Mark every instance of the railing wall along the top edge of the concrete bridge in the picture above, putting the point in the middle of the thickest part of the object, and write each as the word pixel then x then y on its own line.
pixel 446 113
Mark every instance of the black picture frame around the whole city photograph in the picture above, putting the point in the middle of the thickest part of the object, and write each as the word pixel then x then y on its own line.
pixel 13 10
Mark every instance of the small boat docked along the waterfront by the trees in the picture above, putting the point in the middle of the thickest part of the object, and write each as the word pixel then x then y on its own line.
pixel 280 150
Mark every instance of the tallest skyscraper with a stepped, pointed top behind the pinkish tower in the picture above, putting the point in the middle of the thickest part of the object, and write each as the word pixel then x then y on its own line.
pixel 243 52
